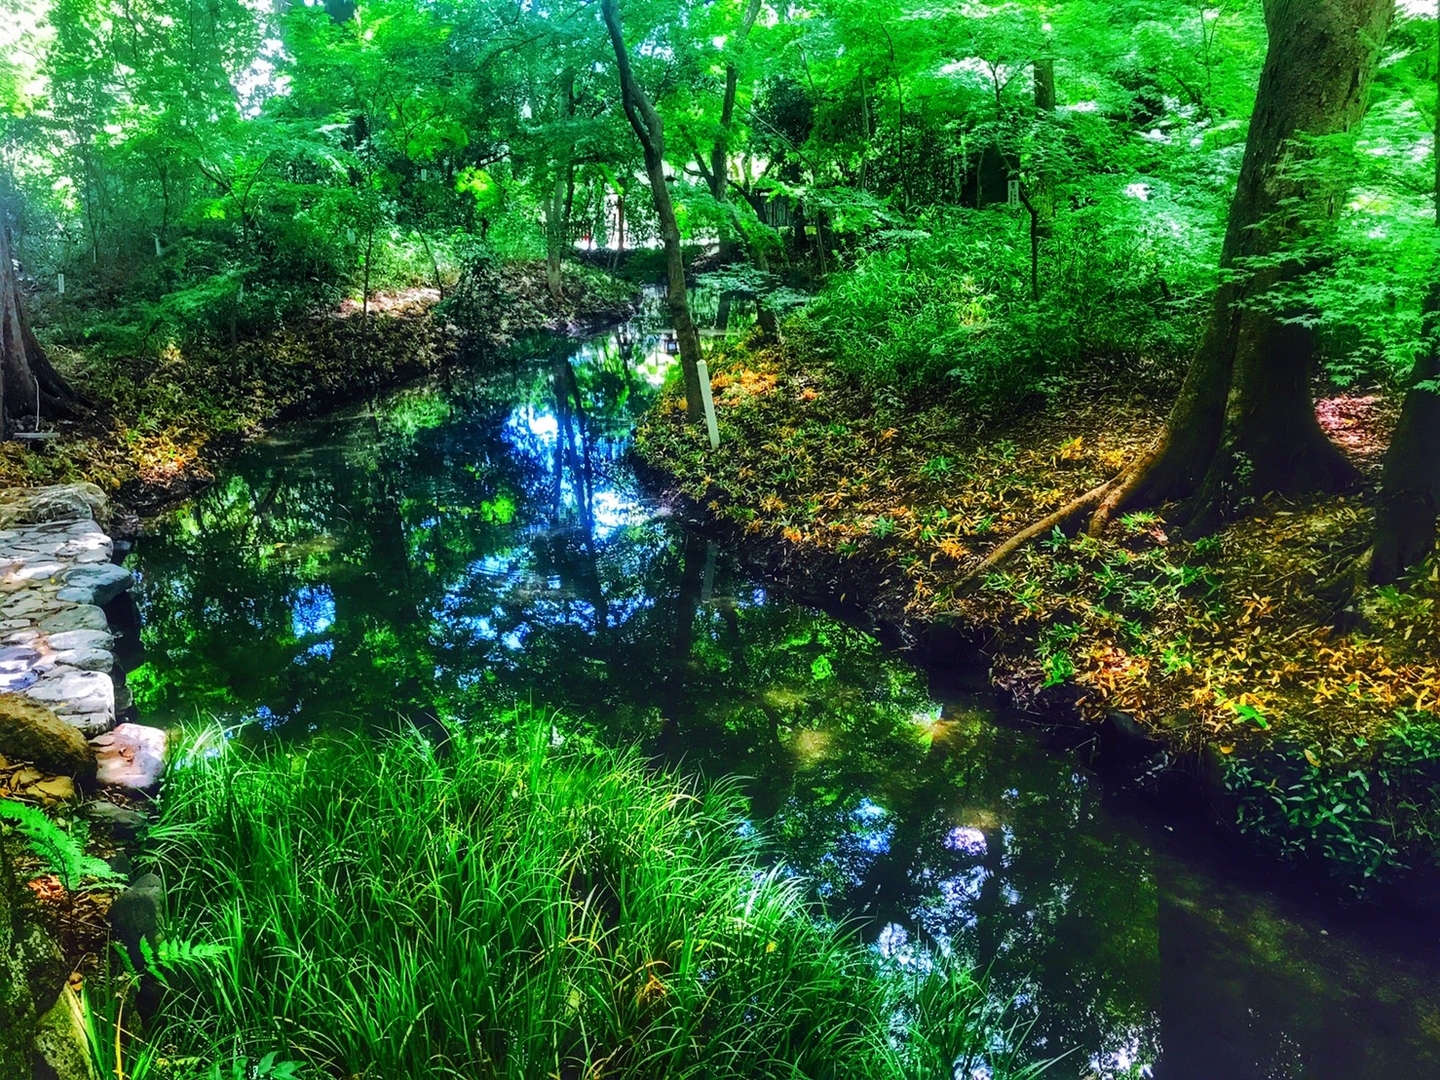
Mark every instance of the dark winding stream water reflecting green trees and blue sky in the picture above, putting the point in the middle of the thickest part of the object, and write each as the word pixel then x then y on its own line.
pixel 482 542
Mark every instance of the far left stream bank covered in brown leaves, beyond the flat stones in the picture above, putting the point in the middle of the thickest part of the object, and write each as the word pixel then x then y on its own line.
pixel 161 415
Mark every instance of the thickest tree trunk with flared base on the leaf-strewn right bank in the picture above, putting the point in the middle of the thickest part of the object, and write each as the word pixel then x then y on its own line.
pixel 1245 423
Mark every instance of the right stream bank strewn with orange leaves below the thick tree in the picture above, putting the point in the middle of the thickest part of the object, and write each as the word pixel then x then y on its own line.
pixel 1212 669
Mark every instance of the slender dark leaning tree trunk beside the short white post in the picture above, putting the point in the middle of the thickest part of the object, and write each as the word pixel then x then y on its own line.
pixel 652 135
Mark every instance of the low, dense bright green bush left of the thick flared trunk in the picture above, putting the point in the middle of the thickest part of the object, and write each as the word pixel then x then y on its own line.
pixel 951 307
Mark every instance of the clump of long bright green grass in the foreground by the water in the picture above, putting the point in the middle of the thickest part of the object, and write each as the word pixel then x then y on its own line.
pixel 398 911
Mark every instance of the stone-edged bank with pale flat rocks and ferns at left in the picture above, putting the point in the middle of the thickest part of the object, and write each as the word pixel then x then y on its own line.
pixel 71 758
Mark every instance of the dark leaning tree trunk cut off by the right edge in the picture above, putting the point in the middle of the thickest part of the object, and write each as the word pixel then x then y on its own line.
pixel 1410 487
